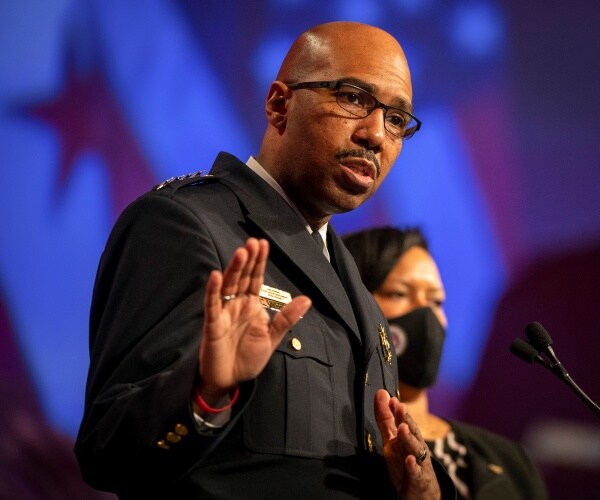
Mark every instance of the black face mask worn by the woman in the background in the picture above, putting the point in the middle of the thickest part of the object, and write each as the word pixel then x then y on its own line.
pixel 418 340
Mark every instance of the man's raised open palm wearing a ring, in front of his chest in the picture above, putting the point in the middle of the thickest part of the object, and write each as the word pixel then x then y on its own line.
pixel 239 336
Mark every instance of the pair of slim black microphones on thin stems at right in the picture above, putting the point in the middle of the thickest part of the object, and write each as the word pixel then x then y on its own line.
pixel 538 349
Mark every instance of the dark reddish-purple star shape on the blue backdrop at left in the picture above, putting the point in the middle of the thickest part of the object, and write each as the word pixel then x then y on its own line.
pixel 87 117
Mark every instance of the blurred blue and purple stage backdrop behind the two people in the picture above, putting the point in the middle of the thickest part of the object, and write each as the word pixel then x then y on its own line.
pixel 100 101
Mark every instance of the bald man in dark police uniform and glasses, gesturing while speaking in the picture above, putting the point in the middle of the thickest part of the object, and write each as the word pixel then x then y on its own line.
pixel 234 350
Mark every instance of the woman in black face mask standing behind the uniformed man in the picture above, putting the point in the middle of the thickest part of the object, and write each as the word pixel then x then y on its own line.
pixel 399 271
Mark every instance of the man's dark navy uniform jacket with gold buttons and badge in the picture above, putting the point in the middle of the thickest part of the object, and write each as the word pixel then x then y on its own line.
pixel 304 428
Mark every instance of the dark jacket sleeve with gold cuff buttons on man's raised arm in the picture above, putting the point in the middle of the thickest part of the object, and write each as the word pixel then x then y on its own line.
pixel 145 326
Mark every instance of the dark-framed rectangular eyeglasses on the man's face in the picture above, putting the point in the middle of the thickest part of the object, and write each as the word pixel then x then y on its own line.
pixel 359 102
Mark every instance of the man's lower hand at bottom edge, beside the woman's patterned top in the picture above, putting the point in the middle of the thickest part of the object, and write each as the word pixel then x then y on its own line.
pixel 402 443
